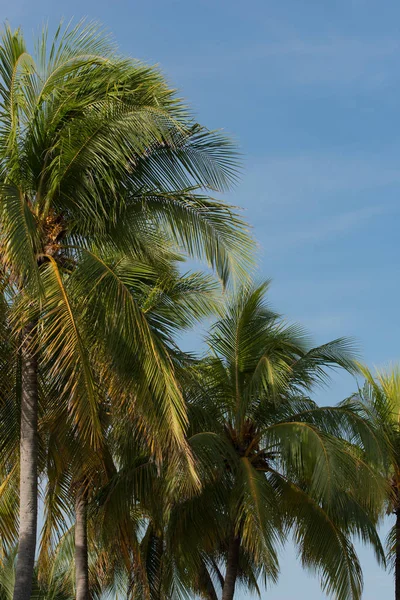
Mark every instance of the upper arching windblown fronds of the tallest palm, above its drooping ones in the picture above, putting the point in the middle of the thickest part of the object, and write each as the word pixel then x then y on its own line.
pixel 96 147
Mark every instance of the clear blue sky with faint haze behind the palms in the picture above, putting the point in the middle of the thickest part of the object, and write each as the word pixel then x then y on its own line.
pixel 311 91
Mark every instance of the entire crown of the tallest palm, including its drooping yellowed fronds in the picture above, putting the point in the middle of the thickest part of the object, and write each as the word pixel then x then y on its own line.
pixel 105 179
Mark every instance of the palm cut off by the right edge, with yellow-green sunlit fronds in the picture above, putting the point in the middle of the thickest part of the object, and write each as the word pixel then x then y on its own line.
pixel 380 397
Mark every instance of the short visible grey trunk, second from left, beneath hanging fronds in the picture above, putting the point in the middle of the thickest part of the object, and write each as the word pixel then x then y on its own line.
pixel 81 547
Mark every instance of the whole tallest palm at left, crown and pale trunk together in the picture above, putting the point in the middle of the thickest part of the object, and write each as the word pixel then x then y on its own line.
pixel 100 167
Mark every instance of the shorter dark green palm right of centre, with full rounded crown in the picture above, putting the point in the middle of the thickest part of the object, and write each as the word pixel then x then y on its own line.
pixel 284 464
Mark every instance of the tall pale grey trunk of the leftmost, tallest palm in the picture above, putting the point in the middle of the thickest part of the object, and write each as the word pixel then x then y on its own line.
pixel 28 467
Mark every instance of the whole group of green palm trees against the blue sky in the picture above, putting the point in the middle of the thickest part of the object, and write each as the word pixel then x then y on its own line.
pixel 131 466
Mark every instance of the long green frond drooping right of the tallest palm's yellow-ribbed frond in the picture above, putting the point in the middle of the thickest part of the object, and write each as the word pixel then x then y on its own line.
pixel 129 340
